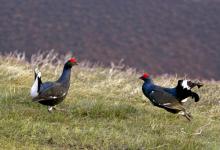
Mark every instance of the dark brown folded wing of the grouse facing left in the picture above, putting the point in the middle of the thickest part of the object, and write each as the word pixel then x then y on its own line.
pixel 166 100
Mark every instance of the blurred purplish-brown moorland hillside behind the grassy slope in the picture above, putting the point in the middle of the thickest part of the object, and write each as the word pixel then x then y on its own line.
pixel 160 37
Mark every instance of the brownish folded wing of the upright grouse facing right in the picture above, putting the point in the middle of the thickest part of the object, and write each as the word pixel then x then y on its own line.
pixel 50 92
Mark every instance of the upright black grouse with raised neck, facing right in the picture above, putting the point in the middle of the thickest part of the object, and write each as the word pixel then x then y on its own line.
pixel 52 93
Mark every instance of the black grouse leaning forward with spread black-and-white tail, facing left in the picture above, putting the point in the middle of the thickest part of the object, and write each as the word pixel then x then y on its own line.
pixel 170 99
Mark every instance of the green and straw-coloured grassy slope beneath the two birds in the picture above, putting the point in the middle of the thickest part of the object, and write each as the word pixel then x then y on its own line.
pixel 105 109
